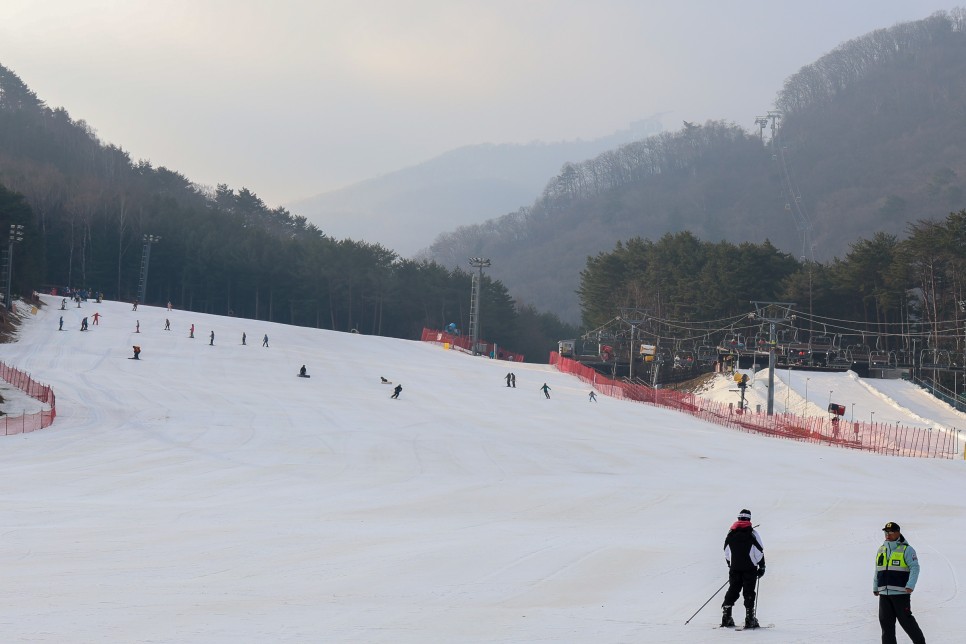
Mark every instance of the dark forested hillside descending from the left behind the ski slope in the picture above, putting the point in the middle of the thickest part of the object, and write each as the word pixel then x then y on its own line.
pixel 86 207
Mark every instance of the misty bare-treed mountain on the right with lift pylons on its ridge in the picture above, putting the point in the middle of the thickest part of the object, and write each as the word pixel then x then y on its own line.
pixel 869 138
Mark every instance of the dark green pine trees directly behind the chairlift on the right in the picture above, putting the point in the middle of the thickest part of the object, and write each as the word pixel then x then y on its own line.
pixel 883 287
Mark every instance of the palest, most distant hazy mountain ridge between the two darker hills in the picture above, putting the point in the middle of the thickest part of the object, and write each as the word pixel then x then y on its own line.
pixel 407 209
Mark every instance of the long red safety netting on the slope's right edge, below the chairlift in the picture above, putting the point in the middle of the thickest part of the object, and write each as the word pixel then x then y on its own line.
pixel 882 438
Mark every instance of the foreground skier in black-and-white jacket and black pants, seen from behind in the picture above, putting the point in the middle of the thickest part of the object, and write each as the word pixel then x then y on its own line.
pixel 746 563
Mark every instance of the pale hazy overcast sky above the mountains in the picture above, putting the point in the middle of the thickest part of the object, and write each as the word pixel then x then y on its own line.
pixel 291 98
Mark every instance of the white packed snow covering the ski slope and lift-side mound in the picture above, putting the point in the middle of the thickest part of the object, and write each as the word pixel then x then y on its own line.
pixel 204 493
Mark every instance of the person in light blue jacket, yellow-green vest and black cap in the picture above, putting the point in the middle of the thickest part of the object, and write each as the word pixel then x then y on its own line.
pixel 896 574
